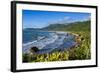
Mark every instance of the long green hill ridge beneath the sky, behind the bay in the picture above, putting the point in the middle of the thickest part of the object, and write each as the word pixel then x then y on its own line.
pixel 77 26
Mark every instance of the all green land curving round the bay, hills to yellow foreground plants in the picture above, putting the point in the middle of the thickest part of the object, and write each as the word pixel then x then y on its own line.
pixel 81 51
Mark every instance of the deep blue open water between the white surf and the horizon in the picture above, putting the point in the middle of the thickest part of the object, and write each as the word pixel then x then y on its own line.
pixel 32 35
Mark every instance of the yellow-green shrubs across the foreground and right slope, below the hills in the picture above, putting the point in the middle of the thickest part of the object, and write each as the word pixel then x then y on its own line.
pixel 79 52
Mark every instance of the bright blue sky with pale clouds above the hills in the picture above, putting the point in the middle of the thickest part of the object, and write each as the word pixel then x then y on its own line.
pixel 40 19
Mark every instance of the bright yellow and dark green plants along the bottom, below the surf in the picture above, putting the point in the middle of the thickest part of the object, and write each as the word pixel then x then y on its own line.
pixel 55 56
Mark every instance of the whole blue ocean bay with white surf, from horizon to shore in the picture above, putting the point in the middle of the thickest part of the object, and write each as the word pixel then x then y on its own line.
pixel 46 41
